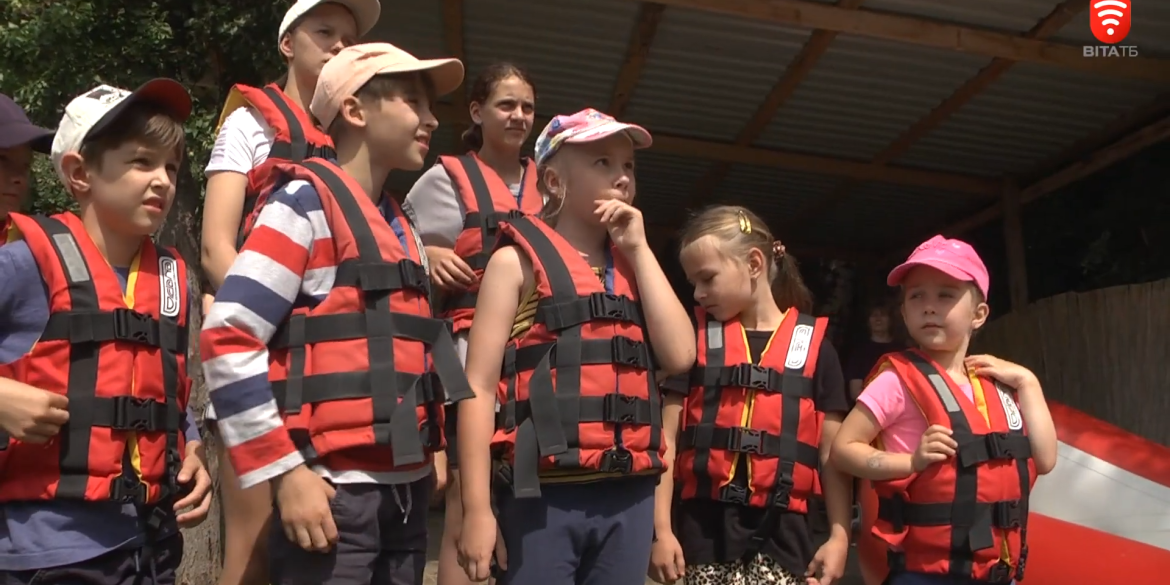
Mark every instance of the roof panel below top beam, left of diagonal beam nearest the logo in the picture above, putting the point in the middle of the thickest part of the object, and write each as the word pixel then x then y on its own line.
pixel 864 94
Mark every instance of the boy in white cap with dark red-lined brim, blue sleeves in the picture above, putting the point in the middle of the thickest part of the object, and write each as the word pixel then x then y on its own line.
pixel 101 459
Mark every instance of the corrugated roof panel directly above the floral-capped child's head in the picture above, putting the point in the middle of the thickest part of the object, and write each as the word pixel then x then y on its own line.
pixel 707 73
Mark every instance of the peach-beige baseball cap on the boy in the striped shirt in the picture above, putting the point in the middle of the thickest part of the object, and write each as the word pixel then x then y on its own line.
pixel 355 66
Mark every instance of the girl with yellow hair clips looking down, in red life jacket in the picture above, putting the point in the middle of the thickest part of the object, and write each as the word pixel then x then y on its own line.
pixel 751 428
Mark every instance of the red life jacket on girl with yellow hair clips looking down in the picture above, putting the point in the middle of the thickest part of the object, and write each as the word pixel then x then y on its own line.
pixel 761 415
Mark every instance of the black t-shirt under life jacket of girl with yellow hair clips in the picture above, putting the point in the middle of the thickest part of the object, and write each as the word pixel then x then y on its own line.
pixel 713 532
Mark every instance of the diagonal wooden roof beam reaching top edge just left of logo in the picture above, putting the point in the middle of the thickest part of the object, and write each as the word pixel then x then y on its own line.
pixel 1047 27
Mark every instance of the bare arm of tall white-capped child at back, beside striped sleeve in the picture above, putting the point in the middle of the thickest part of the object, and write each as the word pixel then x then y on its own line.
pixel 223 216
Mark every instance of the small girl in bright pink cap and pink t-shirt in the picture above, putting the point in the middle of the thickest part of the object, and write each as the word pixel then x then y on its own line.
pixel 962 438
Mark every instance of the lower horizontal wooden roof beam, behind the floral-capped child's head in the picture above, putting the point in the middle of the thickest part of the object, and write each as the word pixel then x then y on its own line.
pixel 725 153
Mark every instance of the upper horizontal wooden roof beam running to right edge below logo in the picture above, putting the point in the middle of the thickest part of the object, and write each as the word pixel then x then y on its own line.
pixel 932 33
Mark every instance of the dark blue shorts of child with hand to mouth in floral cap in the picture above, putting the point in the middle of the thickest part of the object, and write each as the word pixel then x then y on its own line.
pixel 580 534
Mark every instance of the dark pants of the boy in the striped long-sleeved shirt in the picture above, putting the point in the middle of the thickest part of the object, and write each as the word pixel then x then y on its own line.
pixel 382 540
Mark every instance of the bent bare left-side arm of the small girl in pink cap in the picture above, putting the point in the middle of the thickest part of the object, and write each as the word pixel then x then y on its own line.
pixel 854 453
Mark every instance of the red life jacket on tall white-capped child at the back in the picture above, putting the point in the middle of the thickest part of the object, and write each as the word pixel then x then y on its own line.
pixel 298 139
